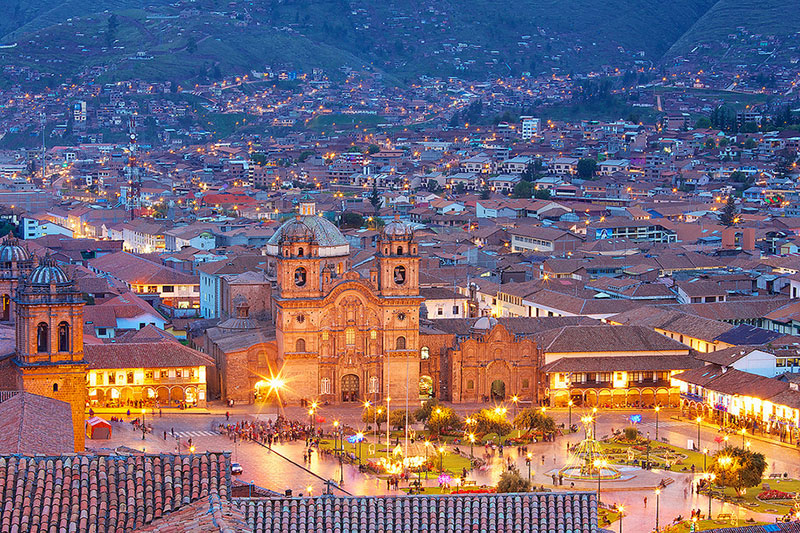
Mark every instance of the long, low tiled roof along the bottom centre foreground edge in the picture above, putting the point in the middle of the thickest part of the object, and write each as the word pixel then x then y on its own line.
pixel 531 512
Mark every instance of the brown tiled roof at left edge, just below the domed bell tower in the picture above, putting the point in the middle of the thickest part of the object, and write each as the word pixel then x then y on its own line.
pixel 32 424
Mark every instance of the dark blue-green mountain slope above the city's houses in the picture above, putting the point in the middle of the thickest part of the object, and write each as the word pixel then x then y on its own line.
pixel 159 39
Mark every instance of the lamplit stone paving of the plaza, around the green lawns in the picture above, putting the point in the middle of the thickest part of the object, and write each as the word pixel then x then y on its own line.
pixel 283 468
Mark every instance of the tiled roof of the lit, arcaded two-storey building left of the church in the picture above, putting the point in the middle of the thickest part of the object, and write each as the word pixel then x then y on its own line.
pixel 159 354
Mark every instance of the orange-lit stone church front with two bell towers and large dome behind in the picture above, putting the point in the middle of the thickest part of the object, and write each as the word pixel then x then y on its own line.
pixel 341 337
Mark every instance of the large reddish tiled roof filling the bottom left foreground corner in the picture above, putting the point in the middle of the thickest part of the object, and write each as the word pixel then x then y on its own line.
pixel 73 493
